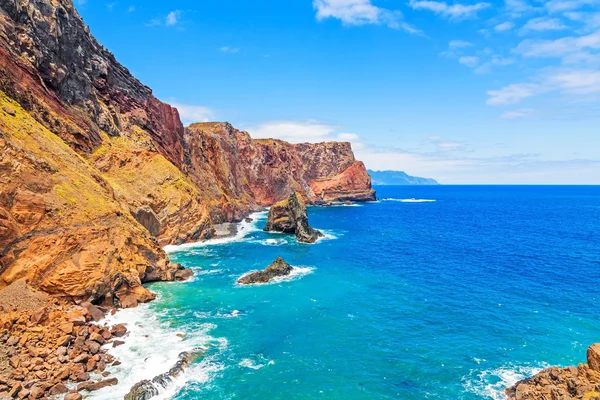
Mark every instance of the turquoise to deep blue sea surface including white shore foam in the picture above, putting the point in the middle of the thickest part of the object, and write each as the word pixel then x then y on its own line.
pixel 433 292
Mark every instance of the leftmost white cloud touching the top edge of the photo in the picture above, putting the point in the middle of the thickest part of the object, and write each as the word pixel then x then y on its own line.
pixel 361 12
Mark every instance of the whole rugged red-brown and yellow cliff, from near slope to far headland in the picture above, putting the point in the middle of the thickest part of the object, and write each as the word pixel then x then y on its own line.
pixel 98 174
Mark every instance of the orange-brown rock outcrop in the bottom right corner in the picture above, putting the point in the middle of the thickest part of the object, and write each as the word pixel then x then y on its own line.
pixel 569 383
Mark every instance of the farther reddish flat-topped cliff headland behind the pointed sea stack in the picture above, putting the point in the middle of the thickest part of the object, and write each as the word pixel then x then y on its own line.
pixel 268 170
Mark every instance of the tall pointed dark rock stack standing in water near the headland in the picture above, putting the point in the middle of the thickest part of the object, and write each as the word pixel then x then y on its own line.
pixel 289 216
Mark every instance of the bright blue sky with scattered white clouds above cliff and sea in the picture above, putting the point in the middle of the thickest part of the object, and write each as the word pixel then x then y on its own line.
pixel 466 92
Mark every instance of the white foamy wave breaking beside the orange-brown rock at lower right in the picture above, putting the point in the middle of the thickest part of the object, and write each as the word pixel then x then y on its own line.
pixel 491 384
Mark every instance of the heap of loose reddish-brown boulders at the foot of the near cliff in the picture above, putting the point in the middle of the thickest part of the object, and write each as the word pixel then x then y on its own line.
pixel 48 347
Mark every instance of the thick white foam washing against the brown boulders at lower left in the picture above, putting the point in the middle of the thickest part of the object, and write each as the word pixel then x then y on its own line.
pixel 152 348
